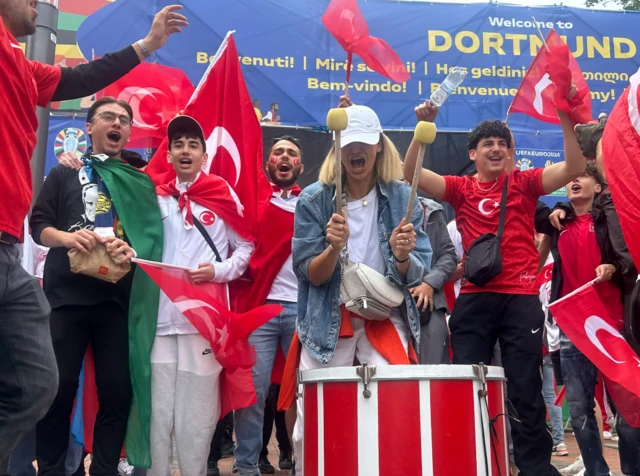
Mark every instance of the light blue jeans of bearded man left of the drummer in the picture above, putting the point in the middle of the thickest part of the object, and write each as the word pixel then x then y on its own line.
pixel 248 421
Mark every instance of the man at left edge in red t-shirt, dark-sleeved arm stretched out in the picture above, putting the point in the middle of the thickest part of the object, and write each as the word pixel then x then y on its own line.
pixel 28 374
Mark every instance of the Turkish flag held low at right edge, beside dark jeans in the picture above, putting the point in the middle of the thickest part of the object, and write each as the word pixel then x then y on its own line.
pixel 584 319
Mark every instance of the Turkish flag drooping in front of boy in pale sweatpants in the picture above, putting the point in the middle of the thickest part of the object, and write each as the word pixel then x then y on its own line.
pixel 205 305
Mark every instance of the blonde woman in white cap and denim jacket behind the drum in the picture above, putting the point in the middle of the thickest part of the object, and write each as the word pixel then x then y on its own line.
pixel 372 228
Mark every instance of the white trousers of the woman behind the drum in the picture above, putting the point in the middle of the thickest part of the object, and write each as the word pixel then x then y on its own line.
pixel 346 350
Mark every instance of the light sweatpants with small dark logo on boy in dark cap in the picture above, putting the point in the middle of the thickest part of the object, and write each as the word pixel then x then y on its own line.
pixel 185 399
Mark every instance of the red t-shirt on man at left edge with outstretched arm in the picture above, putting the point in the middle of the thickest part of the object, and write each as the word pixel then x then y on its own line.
pixel 23 85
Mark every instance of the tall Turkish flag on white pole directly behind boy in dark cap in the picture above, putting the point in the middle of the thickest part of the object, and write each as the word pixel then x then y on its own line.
pixel 222 106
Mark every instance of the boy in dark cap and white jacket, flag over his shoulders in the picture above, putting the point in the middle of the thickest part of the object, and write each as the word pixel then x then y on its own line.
pixel 203 228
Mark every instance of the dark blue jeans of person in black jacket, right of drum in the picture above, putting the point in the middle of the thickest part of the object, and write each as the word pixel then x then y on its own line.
pixel 580 377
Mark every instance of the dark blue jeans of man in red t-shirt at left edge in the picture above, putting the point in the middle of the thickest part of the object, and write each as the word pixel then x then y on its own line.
pixel 28 371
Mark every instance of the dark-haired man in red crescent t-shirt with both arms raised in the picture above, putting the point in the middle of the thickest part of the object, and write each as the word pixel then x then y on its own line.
pixel 507 307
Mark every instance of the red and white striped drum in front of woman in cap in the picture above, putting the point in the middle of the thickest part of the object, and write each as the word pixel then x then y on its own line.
pixel 419 420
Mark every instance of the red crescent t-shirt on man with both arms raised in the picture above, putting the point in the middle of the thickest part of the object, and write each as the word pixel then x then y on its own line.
pixel 477 207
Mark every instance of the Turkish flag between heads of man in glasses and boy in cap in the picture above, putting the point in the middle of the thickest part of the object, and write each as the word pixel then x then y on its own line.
pixel 156 94
